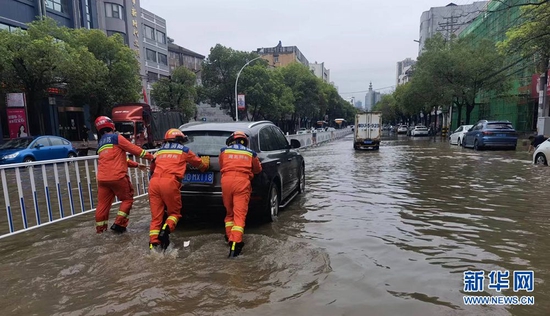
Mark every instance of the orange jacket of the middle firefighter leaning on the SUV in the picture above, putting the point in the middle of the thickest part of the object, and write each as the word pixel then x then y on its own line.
pixel 171 160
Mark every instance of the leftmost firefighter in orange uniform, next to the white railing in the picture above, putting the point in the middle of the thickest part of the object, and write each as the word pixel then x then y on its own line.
pixel 112 175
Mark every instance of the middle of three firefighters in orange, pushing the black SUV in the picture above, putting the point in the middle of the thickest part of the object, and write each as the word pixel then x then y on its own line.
pixel 168 169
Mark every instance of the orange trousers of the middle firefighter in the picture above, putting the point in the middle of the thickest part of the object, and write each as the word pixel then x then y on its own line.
pixel 164 193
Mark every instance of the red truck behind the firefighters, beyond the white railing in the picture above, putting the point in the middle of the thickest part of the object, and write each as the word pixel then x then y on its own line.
pixel 142 126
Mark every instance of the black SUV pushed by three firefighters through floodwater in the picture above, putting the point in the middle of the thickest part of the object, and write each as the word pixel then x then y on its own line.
pixel 282 177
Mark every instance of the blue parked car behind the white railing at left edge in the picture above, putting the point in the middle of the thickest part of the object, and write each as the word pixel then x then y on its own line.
pixel 28 149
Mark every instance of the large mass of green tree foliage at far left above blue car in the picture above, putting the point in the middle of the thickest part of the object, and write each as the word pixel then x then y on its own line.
pixel 95 69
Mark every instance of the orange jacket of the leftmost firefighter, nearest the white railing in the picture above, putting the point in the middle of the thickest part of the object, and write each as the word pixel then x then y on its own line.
pixel 113 163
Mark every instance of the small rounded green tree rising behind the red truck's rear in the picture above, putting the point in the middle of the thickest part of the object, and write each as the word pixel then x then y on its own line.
pixel 177 92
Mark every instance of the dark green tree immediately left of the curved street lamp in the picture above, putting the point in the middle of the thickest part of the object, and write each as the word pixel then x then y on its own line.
pixel 219 73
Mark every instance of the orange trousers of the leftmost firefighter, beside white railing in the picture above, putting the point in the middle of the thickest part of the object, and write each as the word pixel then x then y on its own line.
pixel 106 192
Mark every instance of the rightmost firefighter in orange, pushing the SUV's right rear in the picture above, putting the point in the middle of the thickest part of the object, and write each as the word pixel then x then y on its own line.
pixel 238 165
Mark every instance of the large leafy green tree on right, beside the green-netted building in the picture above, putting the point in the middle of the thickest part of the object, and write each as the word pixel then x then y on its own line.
pixel 458 70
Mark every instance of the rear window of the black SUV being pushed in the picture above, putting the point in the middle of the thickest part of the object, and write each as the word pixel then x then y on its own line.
pixel 207 143
